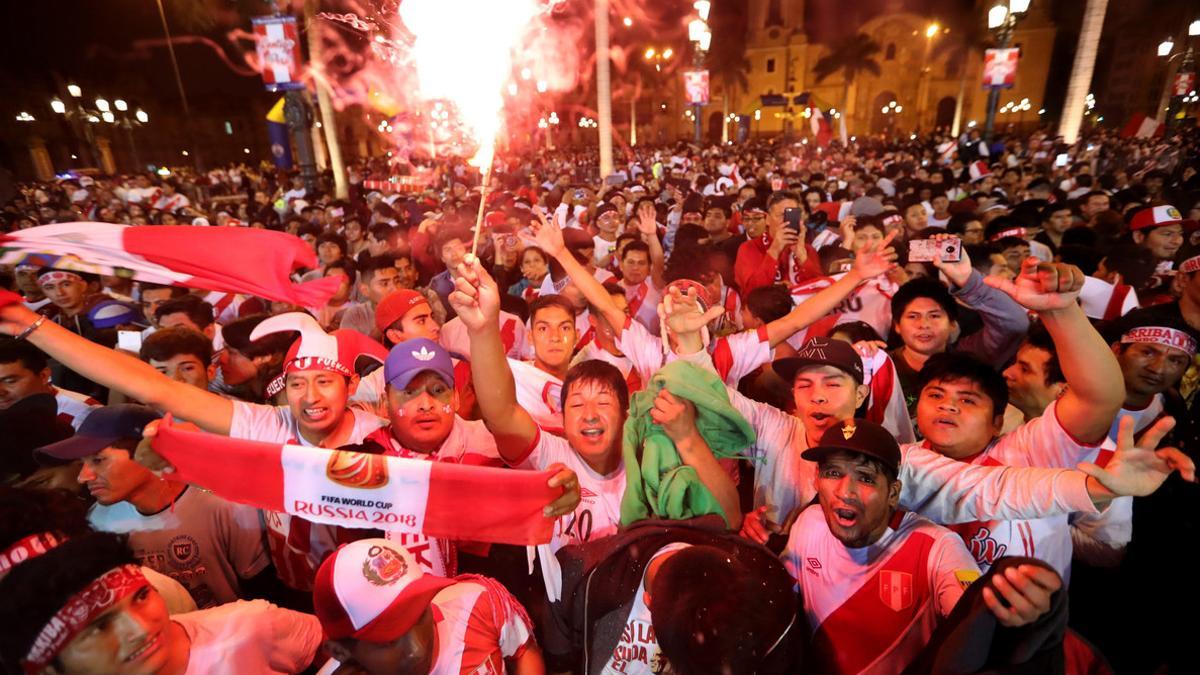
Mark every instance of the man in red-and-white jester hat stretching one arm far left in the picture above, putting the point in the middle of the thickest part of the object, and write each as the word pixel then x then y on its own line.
pixel 317 381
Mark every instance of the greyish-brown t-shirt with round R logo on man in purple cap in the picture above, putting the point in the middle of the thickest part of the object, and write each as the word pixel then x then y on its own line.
pixel 206 543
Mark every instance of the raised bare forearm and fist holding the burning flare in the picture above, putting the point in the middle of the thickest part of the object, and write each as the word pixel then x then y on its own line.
pixel 478 302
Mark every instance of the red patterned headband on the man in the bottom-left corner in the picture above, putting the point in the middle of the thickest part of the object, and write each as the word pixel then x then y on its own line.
pixel 82 610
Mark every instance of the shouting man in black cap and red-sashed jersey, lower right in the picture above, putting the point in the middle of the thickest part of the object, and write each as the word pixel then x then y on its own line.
pixel 877 583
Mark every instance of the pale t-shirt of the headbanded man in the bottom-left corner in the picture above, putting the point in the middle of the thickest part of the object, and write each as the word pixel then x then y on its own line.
pixel 250 637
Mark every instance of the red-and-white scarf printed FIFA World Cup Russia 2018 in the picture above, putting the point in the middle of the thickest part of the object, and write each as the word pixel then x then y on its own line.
pixel 364 491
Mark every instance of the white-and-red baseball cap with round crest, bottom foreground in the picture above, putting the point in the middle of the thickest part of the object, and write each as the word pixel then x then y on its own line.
pixel 373 590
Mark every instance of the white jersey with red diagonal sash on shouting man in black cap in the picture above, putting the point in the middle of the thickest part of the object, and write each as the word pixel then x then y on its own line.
pixel 874 610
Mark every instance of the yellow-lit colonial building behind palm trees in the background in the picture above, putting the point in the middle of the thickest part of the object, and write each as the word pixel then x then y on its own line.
pixel 925 81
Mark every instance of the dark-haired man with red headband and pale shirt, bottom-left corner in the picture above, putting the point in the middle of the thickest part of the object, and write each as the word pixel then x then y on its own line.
pixel 82 607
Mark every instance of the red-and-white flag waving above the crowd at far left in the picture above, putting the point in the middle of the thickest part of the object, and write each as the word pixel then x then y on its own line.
pixel 231 260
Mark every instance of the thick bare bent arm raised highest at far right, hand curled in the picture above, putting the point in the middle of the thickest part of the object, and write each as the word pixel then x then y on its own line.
pixel 1094 393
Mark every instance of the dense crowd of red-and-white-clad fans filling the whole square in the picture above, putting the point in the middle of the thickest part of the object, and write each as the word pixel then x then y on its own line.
pixel 920 405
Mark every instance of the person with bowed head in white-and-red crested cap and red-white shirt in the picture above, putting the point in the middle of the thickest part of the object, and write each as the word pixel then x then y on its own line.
pixel 383 616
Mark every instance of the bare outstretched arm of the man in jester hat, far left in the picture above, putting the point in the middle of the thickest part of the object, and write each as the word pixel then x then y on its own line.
pixel 119 372
